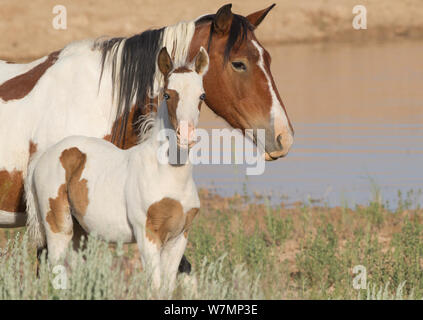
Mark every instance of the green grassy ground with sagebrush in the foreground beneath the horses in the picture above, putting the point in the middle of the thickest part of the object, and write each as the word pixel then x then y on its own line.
pixel 241 250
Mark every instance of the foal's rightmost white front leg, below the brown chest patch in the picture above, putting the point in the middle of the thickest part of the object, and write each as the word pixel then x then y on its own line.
pixel 171 257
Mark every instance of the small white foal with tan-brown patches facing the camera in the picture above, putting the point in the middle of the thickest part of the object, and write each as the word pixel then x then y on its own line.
pixel 124 195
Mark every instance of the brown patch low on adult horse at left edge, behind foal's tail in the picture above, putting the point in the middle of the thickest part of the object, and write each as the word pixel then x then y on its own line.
pixel 11 191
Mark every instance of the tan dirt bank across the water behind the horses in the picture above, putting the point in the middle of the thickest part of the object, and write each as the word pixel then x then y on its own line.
pixel 27 32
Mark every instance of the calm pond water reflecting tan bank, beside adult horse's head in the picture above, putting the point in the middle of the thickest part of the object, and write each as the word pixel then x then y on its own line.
pixel 357 112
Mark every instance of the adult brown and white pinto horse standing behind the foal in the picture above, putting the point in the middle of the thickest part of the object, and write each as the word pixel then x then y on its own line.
pixel 100 88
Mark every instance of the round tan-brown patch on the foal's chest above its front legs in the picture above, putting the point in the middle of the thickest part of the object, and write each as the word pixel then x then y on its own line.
pixel 165 220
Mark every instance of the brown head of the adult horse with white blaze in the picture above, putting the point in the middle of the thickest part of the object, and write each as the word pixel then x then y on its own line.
pixel 239 85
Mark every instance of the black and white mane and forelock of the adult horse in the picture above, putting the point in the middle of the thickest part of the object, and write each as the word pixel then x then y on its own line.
pixel 132 62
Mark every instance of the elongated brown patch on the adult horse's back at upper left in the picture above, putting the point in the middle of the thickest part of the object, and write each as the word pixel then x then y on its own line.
pixel 19 86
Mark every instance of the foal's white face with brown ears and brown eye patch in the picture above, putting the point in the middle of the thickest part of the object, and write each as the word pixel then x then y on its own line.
pixel 184 93
